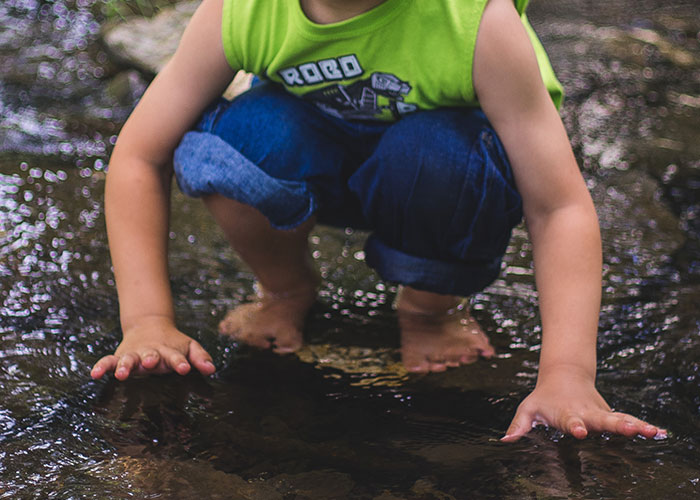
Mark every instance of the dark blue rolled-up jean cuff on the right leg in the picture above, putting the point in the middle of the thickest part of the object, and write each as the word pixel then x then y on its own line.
pixel 449 278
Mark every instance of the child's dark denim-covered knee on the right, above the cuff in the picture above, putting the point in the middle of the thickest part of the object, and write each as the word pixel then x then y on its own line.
pixel 440 185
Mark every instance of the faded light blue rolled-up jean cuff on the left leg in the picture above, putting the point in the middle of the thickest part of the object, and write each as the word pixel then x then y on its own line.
pixel 206 164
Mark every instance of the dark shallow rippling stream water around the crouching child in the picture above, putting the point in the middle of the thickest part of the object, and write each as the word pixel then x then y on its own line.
pixel 342 419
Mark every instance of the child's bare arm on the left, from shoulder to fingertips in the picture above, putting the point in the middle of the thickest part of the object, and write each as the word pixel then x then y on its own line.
pixel 137 198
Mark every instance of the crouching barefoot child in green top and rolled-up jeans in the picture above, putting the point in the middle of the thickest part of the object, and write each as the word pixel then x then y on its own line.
pixel 368 117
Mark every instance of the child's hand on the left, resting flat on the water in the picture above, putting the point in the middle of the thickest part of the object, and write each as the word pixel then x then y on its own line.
pixel 154 346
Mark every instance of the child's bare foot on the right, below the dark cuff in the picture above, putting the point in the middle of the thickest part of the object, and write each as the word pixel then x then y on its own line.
pixel 433 340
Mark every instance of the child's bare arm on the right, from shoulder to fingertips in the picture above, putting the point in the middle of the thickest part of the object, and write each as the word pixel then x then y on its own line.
pixel 563 227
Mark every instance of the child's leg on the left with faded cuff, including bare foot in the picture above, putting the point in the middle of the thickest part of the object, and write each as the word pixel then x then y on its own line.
pixel 280 158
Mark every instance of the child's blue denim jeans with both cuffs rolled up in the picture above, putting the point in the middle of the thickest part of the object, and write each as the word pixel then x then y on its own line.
pixel 435 188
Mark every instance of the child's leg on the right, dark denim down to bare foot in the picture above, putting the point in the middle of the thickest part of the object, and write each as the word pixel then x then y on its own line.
pixel 440 196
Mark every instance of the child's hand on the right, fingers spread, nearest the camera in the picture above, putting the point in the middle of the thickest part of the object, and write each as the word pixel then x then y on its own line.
pixel 570 402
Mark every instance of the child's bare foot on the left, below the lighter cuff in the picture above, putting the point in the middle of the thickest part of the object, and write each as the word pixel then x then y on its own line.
pixel 274 321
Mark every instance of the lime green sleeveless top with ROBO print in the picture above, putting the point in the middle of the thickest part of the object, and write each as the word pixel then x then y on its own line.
pixel 399 57
